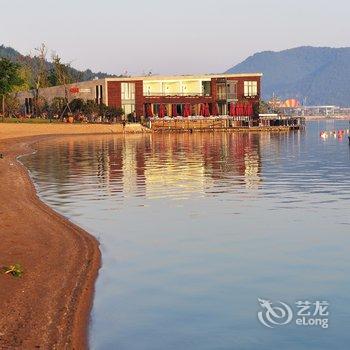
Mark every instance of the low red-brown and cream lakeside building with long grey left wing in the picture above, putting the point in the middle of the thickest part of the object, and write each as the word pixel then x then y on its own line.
pixel 169 95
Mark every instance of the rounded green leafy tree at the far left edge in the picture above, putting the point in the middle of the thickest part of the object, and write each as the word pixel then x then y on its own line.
pixel 9 79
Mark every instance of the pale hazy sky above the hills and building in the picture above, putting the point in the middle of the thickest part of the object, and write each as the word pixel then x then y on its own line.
pixel 179 36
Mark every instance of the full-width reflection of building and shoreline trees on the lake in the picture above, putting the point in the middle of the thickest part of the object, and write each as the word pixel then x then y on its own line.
pixel 155 165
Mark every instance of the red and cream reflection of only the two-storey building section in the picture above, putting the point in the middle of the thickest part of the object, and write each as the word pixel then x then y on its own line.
pixel 180 164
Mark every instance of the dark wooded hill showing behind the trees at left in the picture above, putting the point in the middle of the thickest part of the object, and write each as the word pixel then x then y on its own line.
pixel 12 54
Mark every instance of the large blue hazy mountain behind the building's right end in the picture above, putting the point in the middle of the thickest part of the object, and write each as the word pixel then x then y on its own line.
pixel 313 75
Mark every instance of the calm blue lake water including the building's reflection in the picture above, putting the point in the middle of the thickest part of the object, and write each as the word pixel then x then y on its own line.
pixel 194 228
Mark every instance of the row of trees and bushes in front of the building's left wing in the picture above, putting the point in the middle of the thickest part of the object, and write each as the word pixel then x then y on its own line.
pixel 34 72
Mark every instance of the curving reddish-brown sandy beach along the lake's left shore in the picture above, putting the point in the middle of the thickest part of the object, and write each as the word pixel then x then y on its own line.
pixel 49 306
